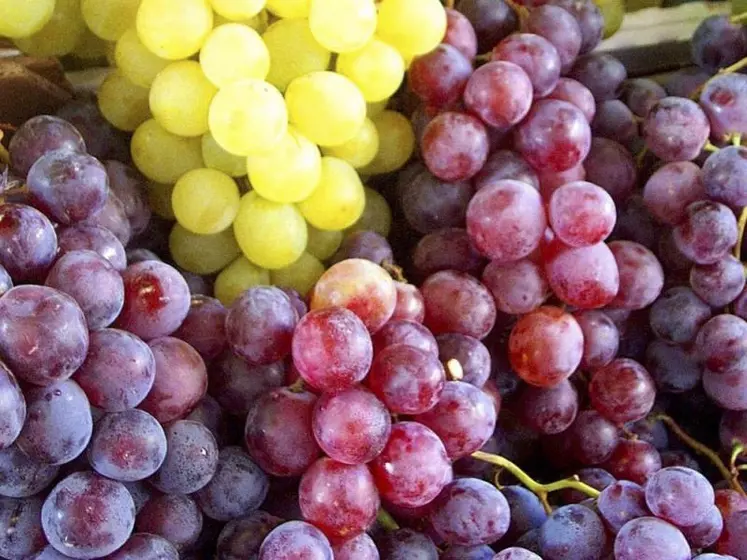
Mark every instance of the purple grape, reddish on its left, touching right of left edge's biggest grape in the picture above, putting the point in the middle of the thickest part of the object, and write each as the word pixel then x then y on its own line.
pixel 118 371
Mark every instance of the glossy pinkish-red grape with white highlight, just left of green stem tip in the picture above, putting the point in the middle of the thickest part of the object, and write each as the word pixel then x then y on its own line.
pixel 413 468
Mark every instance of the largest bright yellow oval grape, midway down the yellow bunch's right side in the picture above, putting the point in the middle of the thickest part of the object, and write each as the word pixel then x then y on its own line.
pixel 325 107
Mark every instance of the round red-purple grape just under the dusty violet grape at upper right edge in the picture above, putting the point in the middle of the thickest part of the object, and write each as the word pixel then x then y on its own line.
pixel 707 232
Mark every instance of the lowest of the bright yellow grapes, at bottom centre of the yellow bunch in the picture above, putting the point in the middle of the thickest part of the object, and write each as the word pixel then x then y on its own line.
pixel 271 235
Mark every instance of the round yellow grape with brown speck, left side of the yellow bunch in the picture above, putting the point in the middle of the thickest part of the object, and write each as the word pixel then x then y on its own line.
pixel 205 201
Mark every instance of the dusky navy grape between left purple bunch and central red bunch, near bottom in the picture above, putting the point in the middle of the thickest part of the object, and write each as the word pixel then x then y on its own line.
pixel 238 488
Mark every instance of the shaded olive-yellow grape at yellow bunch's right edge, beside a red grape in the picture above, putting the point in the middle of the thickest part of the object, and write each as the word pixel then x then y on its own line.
pixel 396 143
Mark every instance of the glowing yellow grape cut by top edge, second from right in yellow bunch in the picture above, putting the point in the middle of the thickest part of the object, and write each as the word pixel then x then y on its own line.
pixel 343 25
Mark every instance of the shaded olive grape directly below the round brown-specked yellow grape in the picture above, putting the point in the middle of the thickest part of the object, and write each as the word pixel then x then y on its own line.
pixel 202 254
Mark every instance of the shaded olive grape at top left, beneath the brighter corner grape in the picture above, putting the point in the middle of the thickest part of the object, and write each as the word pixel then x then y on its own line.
pixel 60 34
